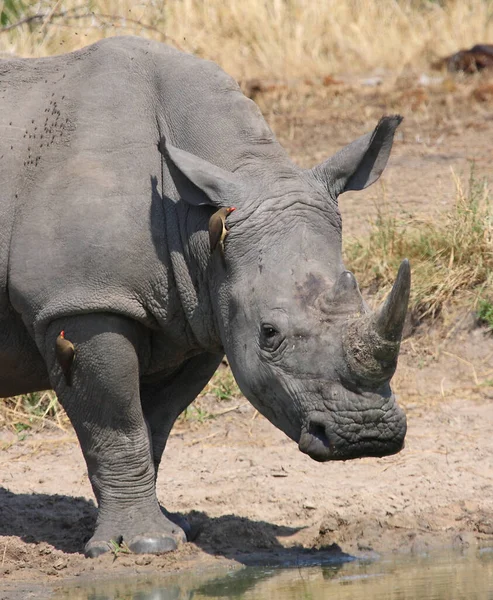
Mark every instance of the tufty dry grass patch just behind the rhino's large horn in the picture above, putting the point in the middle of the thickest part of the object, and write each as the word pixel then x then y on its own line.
pixel 448 257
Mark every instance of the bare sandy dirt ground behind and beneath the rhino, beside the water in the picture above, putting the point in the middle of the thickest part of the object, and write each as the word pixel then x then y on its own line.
pixel 248 492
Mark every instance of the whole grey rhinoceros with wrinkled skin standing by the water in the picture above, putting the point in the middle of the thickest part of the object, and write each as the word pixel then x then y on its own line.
pixel 112 160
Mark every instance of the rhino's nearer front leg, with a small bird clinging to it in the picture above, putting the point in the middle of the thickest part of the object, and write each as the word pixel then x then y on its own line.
pixel 103 404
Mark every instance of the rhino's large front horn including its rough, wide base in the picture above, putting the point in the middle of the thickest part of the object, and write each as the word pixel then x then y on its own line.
pixel 371 343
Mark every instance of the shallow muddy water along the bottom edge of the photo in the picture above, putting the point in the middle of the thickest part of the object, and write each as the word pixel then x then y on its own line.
pixel 443 577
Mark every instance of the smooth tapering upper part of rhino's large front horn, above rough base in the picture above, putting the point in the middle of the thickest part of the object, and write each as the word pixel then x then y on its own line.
pixel 392 314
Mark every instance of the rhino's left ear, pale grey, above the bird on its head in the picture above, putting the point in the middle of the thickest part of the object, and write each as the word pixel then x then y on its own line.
pixel 199 182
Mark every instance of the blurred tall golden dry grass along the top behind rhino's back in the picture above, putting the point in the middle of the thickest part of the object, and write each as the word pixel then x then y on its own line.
pixel 262 38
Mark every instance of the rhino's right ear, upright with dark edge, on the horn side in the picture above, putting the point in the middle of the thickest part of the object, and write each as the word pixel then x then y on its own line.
pixel 360 163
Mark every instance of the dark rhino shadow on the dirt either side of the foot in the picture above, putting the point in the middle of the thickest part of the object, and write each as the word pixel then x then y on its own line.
pixel 67 522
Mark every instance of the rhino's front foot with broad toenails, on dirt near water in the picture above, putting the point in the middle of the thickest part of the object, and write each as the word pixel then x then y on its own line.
pixel 140 537
